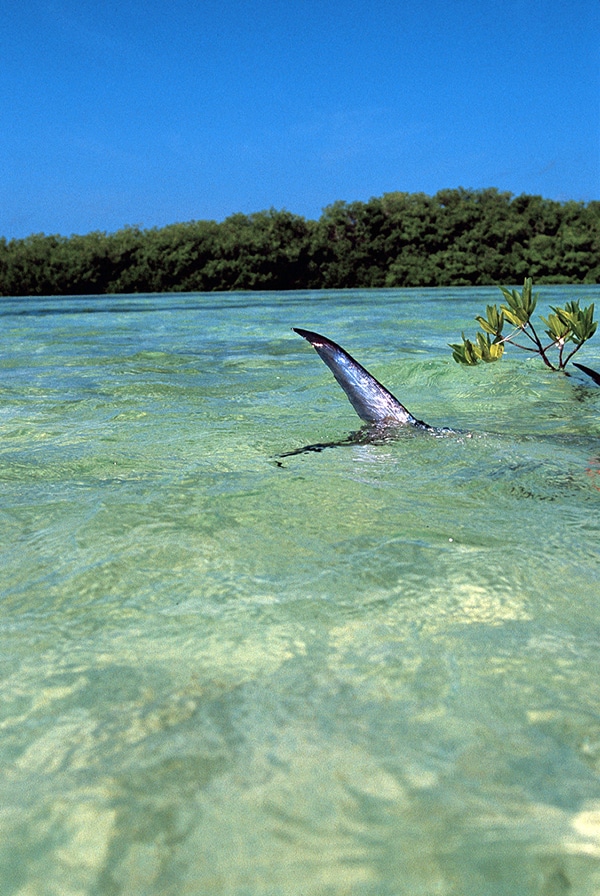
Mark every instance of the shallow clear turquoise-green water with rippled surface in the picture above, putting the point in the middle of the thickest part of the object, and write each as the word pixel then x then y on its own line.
pixel 369 670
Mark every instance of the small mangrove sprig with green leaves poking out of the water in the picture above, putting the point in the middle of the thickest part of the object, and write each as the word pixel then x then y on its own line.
pixel 570 324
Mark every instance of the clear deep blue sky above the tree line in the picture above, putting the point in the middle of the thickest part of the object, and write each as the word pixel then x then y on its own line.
pixel 139 112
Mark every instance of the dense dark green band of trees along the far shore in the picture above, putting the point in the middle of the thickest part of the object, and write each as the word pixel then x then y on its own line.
pixel 458 237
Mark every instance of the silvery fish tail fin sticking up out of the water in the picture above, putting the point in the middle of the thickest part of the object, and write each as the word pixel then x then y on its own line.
pixel 370 399
